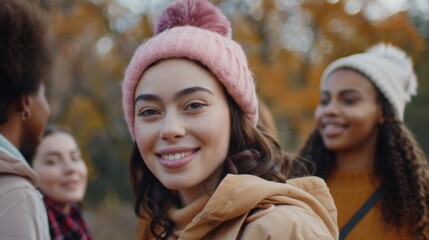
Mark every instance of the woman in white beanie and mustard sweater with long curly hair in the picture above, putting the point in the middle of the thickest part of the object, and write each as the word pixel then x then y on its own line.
pixel 375 169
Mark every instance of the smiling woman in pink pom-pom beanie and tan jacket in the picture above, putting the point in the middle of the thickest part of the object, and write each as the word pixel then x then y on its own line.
pixel 201 168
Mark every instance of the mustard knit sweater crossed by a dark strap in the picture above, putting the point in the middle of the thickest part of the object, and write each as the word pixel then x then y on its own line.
pixel 350 190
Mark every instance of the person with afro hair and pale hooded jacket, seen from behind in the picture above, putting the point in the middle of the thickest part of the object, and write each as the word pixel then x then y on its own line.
pixel 24 64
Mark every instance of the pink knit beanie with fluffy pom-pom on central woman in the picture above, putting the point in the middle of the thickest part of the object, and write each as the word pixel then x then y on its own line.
pixel 197 30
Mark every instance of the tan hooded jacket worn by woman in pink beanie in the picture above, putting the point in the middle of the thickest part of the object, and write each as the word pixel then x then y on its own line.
pixel 301 209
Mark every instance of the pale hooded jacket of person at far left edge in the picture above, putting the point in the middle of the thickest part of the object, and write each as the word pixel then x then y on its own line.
pixel 22 212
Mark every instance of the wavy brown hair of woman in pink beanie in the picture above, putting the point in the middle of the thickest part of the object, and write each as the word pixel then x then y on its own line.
pixel 252 150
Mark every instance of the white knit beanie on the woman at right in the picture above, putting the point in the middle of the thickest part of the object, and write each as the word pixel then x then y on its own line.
pixel 388 68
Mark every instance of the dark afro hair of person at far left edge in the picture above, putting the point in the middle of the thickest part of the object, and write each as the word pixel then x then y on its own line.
pixel 25 56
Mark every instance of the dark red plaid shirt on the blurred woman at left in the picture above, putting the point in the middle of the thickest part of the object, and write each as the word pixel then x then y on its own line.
pixel 63 226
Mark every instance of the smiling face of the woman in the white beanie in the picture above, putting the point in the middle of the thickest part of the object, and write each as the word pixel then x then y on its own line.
pixel 348 114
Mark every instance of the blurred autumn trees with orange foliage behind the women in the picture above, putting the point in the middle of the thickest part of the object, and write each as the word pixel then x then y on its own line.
pixel 288 42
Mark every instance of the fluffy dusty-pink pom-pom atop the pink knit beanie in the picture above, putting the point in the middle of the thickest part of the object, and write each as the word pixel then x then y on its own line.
pixel 198 13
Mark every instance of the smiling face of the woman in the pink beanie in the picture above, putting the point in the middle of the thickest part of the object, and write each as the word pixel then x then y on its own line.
pixel 182 125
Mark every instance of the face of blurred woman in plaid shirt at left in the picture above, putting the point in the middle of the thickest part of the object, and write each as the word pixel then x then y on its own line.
pixel 62 172
